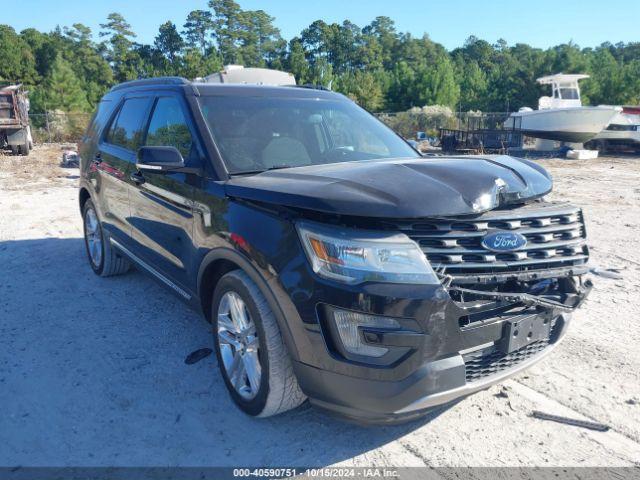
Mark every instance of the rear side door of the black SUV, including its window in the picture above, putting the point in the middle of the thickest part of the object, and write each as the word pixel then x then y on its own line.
pixel 115 160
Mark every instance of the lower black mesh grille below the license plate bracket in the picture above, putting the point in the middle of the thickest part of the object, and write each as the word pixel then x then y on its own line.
pixel 483 364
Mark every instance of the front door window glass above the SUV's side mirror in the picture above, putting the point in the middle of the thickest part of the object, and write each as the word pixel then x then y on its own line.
pixel 168 126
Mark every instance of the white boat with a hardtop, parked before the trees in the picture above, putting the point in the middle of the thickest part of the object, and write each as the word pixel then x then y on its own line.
pixel 562 117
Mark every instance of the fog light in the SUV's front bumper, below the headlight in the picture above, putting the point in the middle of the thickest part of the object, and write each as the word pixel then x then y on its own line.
pixel 348 324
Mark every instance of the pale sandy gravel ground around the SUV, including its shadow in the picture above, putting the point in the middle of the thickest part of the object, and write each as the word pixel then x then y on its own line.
pixel 93 372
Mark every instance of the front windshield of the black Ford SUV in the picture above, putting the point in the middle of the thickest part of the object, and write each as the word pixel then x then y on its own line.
pixel 260 133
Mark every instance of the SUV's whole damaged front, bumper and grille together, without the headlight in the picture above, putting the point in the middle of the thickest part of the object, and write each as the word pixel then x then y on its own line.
pixel 509 279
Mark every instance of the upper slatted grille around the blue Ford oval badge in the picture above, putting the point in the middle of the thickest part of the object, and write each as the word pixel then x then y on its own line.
pixel 555 234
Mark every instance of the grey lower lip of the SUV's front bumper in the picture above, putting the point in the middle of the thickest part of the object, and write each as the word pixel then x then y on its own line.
pixel 435 383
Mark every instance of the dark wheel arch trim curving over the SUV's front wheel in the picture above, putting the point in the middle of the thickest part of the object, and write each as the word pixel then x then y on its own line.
pixel 220 261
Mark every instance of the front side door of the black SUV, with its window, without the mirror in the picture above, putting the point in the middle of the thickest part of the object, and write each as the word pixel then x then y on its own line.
pixel 162 203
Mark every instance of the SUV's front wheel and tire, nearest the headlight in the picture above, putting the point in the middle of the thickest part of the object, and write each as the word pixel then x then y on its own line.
pixel 252 356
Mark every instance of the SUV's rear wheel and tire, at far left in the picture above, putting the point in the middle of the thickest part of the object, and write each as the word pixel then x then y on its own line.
pixel 104 259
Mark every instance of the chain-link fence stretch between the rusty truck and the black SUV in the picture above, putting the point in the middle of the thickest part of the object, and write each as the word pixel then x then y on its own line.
pixel 58 127
